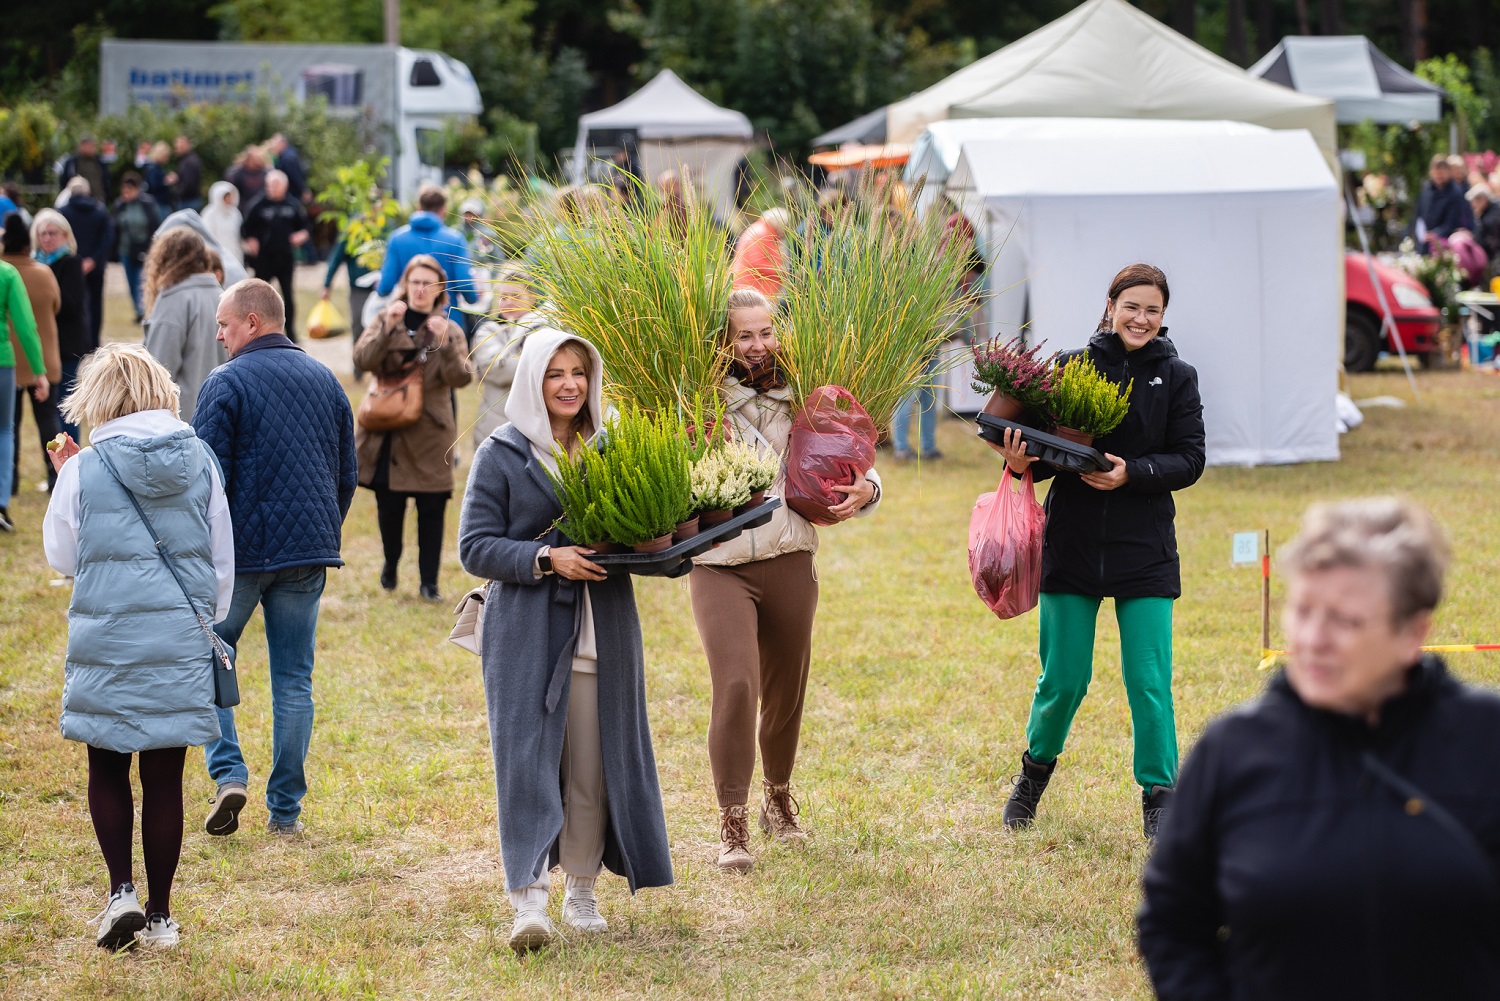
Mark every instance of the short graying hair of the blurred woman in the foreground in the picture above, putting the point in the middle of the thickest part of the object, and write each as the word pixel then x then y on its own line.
pixel 1385 535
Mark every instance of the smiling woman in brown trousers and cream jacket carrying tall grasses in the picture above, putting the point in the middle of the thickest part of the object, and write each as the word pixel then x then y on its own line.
pixel 755 600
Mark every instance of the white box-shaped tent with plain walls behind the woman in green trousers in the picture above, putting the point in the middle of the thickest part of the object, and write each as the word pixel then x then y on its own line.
pixel 1244 227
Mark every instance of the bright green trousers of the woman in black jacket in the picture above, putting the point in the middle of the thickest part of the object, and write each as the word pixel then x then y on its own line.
pixel 1067 667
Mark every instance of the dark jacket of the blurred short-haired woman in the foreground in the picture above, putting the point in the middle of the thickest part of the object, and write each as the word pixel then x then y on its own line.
pixel 1310 856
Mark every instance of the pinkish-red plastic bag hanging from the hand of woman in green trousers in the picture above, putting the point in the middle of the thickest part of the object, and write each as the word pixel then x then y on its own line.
pixel 1006 535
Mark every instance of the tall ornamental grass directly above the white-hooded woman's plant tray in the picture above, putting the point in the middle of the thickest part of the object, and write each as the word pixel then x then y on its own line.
pixel 647 287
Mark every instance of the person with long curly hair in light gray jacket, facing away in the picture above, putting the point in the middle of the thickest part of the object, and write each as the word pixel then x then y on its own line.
pixel 182 298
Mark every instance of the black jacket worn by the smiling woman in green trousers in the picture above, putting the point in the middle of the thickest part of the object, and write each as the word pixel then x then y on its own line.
pixel 1123 543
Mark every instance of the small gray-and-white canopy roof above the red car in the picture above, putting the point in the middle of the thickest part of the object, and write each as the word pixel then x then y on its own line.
pixel 1363 82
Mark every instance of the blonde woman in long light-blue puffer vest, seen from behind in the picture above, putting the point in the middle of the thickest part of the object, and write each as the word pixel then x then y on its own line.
pixel 139 678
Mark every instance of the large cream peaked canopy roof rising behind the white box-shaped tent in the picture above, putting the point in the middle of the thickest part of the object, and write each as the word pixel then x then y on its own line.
pixel 1109 61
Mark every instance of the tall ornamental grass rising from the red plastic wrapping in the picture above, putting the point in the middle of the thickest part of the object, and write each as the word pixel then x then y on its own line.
pixel 871 295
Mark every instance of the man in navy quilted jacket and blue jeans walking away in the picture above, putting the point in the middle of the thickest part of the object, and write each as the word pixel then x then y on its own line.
pixel 284 433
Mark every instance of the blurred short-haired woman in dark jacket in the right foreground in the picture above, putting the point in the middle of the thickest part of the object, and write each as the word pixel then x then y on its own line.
pixel 1340 837
